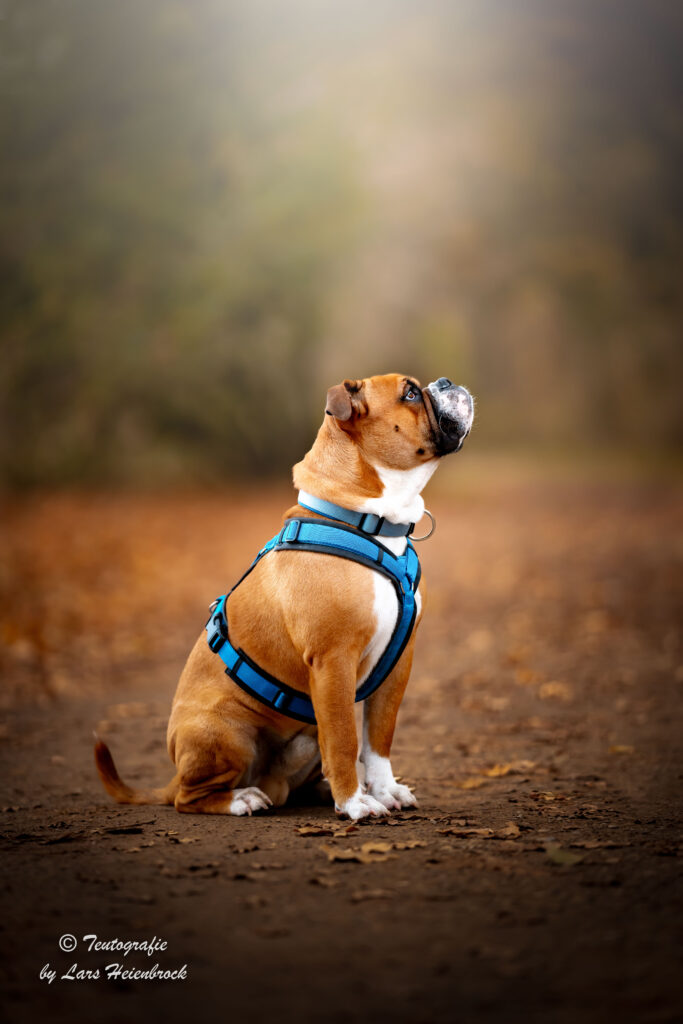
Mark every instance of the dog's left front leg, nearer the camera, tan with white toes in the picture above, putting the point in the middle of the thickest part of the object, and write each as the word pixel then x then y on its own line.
pixel 333 693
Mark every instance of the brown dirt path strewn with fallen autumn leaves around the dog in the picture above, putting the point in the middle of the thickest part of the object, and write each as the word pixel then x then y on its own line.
pixel 540 879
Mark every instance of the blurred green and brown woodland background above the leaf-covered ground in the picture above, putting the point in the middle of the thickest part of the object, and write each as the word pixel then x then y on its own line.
pixel 212 211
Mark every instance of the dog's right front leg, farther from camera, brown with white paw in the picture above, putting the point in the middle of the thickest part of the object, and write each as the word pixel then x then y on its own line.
pixel 379 720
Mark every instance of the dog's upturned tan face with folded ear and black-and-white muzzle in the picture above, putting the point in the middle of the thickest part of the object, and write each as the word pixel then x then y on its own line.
pixel 400 424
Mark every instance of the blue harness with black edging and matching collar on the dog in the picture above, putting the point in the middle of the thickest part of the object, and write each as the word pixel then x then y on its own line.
pixel 303 534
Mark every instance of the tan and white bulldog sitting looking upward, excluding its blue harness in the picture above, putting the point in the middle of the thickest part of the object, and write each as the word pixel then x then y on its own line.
pixel 316 622
